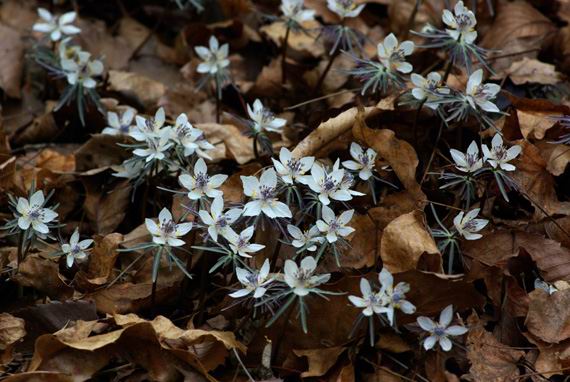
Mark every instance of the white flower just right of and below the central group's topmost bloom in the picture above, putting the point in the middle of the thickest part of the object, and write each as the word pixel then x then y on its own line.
pixel 327 185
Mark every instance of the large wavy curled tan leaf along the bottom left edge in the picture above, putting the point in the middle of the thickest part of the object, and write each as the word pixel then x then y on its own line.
pixel 168 348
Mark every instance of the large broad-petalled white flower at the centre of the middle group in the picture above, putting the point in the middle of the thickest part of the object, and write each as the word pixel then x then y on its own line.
pixel 263 193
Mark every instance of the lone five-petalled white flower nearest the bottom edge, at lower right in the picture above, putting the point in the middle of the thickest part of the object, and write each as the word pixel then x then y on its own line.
pixel 440 331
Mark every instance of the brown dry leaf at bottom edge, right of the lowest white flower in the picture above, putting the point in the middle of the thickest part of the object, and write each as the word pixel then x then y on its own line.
pixel 490 359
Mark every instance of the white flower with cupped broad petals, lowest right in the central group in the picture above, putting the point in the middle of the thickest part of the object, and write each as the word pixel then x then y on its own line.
pixel 301 279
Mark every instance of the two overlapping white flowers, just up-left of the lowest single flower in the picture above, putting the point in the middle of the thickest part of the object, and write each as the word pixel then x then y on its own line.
pixel 386 300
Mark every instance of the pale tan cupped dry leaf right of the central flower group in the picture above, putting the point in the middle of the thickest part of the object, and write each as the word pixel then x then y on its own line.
pixel 404 241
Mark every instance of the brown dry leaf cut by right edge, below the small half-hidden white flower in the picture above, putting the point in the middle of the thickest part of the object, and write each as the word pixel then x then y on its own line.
pixel 549 315
